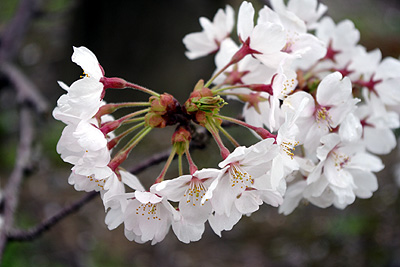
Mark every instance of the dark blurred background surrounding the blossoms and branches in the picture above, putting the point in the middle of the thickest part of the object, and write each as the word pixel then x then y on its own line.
pixel 141 41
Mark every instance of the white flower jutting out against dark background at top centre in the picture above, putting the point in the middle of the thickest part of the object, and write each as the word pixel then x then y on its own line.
pixel 208 41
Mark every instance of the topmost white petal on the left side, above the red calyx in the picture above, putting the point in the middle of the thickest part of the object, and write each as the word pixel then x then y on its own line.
pixel 87 61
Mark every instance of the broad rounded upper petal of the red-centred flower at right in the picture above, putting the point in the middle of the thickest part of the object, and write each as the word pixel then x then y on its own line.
pixel 334 90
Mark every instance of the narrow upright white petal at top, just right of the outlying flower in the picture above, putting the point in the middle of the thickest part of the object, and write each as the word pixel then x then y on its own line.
pixel 245 22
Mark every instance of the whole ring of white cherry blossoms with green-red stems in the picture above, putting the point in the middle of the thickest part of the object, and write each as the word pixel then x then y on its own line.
pixel 321 106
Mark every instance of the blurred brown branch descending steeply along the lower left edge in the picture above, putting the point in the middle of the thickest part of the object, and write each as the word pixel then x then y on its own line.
pixel 11 191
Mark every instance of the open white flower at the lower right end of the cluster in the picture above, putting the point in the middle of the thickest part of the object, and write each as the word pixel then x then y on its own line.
pixel 344 172
